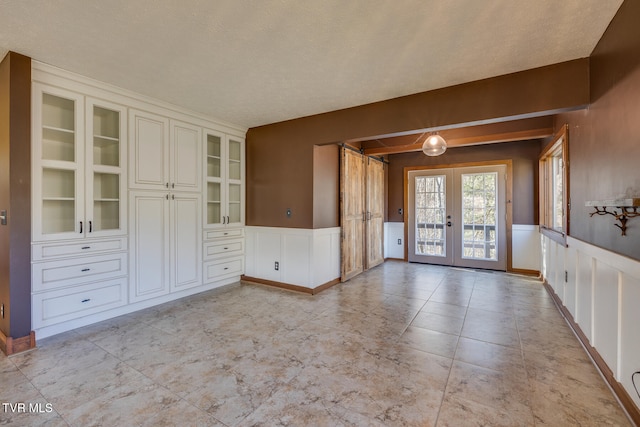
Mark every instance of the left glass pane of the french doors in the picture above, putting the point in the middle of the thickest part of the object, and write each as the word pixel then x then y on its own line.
pixel 430 215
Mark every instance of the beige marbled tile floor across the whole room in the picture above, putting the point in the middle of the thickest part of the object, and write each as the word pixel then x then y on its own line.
pixel 402 344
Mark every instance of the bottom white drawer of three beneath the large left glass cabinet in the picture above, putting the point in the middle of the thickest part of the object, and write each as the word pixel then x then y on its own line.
pixel 67 304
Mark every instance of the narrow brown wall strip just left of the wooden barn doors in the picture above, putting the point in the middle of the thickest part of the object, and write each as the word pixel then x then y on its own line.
pixel 326 186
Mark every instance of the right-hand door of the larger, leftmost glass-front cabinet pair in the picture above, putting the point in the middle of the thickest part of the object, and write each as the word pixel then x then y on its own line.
pixel 105 190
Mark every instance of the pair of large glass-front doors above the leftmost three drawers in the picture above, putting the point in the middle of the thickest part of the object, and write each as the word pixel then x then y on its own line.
pixel 79 166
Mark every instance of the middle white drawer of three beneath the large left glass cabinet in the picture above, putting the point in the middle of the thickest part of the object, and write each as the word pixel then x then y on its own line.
pixel 56 274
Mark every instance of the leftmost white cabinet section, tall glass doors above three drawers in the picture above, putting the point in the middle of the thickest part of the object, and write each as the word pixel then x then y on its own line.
pixel 79 224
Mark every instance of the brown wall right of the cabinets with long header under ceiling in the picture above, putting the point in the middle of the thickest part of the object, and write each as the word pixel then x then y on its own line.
pixel 280 171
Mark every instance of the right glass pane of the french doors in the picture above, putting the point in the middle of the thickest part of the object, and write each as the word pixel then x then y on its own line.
pixel 479 216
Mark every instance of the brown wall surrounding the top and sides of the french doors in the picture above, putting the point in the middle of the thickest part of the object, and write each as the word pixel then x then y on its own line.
pixel 525 174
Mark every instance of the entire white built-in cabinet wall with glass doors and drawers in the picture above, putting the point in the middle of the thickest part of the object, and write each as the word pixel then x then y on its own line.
pixel 134 202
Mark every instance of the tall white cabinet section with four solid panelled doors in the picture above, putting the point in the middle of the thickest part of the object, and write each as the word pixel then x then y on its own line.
pixel 166 245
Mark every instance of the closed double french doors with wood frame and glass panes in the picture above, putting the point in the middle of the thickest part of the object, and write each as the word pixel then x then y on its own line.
pixel 457 216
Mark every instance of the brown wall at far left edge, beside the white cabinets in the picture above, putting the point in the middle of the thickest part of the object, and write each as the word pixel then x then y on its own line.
pixel 15 194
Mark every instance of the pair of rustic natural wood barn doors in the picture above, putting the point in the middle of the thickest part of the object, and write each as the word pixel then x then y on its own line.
pixel 361 213
